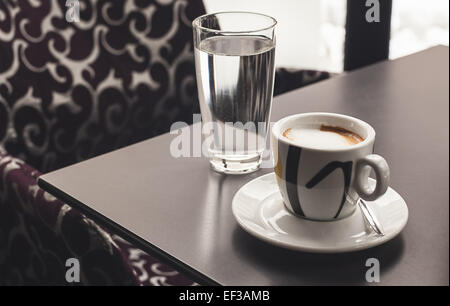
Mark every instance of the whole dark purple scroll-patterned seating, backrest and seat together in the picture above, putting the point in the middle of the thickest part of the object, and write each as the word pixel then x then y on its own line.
pixel 73 90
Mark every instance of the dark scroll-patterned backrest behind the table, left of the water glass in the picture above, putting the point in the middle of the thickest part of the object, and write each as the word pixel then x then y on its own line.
pixel 69 91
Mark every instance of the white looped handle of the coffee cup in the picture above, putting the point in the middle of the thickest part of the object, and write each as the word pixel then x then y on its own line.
pixel 381 169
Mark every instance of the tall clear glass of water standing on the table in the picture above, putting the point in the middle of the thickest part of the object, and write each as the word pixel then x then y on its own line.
pixel 234 61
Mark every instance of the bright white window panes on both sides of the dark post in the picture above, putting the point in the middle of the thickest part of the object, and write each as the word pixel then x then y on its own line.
pixel 311 33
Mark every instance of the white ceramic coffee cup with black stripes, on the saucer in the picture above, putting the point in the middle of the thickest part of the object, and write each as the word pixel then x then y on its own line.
pixel 325 184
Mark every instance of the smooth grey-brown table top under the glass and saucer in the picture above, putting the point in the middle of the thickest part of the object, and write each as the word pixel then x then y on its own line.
pixel 182 210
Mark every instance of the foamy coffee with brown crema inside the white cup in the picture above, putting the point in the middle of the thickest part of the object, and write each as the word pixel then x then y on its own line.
pixel 324 137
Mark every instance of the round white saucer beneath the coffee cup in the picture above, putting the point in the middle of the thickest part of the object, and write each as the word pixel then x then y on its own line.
pixel 259 209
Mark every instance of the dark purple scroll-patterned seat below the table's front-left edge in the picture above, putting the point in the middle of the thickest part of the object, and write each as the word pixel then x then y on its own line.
pixel 38 233
